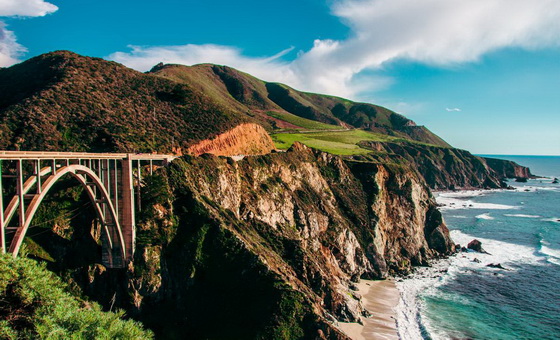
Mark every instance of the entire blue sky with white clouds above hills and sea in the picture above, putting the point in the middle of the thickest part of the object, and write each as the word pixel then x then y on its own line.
pixel 482 74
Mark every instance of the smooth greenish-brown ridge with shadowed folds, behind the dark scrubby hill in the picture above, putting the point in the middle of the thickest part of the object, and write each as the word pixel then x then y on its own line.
pixel 279 104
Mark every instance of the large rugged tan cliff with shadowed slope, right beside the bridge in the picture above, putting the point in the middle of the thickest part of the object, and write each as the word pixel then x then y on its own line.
pixel 277 239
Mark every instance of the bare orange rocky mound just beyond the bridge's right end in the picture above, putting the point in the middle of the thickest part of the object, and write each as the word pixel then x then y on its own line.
pixel 244 139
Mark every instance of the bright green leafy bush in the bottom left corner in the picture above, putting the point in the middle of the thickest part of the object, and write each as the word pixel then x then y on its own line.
pixel 34 304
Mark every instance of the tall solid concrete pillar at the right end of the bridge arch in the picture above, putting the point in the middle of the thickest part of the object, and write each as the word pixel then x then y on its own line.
pixel 127 216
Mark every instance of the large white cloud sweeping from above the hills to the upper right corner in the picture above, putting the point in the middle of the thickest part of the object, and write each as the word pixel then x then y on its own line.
pixel 435 32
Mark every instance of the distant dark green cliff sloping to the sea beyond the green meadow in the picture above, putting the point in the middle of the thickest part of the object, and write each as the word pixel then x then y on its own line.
pixel 447 168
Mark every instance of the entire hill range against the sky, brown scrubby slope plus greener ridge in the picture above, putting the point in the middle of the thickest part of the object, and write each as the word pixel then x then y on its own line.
pixel 64 101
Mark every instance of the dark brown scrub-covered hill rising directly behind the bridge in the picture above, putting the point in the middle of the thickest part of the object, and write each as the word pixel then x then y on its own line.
pixel 63 101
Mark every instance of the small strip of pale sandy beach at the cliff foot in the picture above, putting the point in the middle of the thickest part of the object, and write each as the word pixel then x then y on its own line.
pixel 379 298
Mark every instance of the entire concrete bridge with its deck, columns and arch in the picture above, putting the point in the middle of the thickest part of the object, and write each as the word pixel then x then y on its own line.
pixel 111 180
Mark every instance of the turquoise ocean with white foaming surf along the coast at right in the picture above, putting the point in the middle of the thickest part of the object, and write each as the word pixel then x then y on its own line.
pixel 461 297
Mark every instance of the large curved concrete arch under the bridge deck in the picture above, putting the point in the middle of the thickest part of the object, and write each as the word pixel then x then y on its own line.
pixel 97 193
